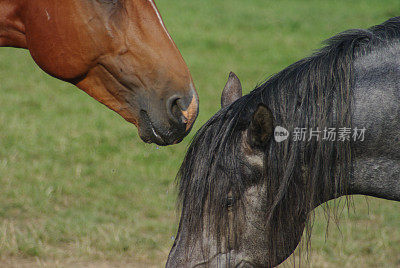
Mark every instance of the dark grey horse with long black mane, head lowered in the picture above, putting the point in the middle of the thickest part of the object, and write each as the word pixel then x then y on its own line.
pixel 326 126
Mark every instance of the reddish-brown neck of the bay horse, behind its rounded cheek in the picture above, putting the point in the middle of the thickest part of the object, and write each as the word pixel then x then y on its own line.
pixel 12 29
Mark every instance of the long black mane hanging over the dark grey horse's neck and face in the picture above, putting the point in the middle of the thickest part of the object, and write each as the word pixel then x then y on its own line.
pixel 313 92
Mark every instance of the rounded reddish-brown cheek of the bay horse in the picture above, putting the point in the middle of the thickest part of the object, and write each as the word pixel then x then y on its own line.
pixel 58 45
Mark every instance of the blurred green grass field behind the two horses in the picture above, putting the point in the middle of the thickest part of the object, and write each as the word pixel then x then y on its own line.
pixel 79 189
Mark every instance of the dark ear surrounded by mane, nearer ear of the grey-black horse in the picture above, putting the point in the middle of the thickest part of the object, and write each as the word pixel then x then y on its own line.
pixel 261 127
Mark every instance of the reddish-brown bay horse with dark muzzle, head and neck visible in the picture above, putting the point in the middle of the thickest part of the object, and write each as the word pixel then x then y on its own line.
pixel 117 51
